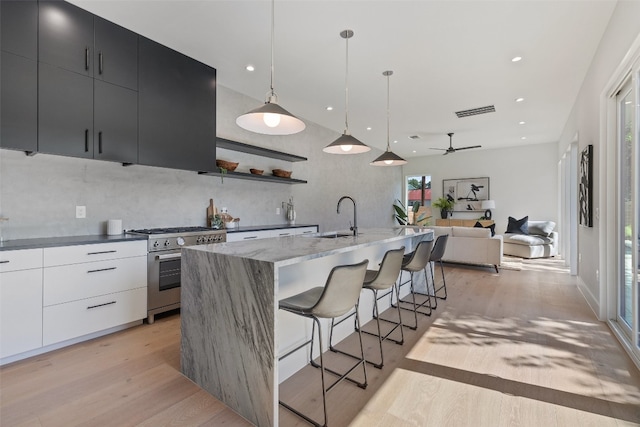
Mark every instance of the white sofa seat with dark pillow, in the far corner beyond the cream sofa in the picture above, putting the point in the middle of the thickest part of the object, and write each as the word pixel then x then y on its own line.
pixel 541 242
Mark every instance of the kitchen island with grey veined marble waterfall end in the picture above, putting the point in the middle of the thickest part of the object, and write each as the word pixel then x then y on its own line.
pixel 232 330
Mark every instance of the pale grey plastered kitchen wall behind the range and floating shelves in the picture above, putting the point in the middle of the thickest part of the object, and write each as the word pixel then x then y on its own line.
pixel 39 194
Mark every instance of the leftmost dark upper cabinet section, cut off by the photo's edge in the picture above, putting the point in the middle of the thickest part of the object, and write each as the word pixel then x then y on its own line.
pixel 19 75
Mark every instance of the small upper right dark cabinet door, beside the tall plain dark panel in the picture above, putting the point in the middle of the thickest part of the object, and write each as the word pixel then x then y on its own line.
pixel 115 54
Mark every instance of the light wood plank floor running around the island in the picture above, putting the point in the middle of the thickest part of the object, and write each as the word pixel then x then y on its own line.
pixel 518 348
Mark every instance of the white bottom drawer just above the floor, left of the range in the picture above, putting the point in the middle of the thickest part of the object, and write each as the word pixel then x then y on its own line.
pixel 74 319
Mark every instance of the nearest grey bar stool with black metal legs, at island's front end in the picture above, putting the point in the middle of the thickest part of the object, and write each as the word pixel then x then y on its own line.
pixel 339 295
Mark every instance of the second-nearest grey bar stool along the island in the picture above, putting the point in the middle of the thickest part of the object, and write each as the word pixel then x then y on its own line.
pixel 379 280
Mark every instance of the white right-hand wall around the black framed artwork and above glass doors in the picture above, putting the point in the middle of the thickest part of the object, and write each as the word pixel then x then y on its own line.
pixel 586 121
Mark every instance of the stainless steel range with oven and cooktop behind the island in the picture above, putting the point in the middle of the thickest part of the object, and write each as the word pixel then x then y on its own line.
pixel 163 262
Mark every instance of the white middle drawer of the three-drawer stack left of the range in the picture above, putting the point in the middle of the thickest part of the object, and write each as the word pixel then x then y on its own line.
pixel 79 281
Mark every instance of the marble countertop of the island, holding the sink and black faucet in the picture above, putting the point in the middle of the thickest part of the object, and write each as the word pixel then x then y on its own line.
pixel 294 249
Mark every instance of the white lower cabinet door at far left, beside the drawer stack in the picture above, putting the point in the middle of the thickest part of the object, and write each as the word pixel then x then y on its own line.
pixel 20 311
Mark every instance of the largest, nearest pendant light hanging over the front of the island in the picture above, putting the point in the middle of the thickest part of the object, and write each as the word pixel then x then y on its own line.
pixel 271 118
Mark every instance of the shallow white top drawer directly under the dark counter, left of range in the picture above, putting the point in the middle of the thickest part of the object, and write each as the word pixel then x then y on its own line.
pixel 76 254
